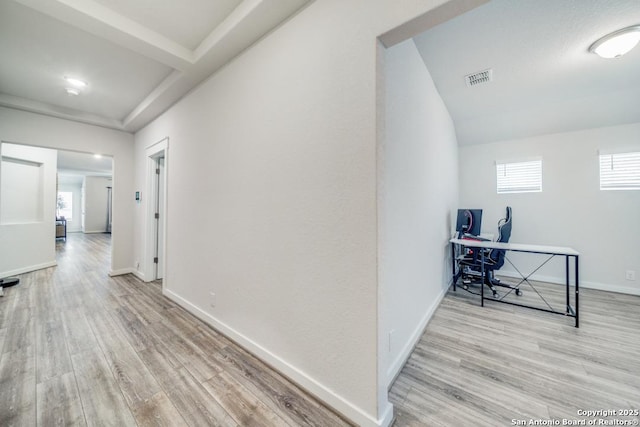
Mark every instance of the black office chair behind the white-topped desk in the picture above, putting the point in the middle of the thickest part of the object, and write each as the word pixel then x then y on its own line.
pixel 493 260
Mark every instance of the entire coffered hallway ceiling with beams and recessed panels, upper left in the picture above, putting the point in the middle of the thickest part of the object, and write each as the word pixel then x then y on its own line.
pixel 139 57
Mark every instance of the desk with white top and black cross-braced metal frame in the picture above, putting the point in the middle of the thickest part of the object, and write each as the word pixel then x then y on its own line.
pixel 568 253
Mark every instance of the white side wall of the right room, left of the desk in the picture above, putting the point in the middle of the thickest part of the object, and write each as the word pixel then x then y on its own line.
pixel 418 189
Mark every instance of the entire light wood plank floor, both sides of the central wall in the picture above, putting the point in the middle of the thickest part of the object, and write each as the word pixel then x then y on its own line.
pixel 80 348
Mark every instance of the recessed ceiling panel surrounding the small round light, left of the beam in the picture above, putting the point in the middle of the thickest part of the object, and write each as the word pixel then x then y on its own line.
pixel 44 50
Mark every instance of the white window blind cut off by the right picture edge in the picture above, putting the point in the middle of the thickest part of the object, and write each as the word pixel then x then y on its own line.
pixel 620 171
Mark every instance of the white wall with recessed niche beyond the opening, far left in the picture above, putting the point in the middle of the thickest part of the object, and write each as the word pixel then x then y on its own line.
pixel 27 202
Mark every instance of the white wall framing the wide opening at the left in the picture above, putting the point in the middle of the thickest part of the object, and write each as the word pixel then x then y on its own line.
pixel 43 131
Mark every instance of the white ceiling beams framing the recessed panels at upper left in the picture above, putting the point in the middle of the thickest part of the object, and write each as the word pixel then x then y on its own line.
pixel 246 24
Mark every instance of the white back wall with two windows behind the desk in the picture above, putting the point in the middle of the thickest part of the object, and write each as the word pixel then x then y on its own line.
pixel 571 210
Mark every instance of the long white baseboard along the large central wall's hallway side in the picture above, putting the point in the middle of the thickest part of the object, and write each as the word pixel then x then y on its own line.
pixel 308 383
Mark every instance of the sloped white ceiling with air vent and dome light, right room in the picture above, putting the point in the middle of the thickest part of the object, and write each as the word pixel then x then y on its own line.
pixel 544 78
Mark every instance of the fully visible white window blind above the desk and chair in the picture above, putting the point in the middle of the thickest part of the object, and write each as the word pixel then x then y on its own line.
pixel 519 177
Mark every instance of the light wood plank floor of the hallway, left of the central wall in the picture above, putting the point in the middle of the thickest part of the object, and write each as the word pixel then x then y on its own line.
pixel 80 348
